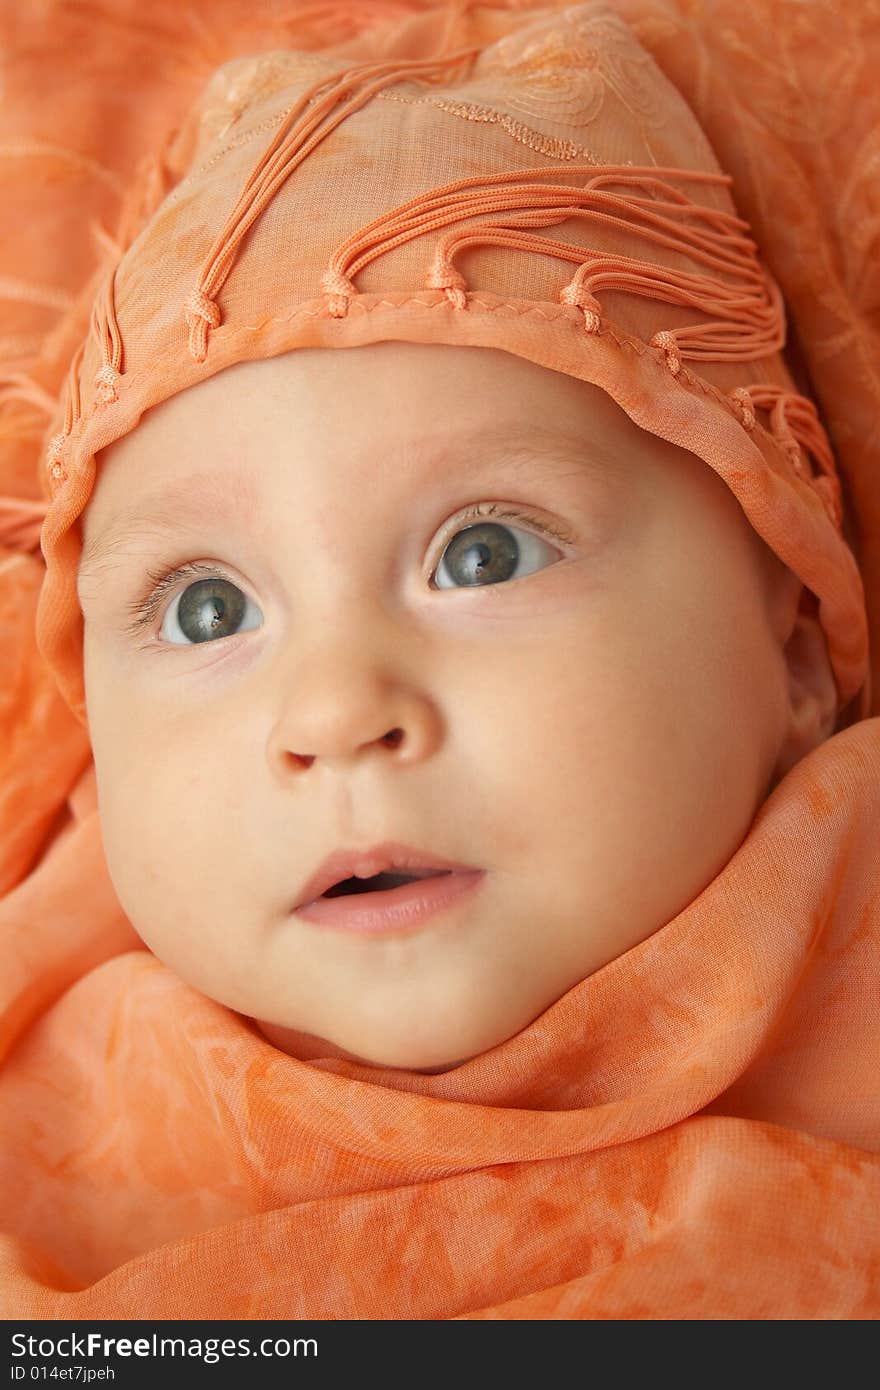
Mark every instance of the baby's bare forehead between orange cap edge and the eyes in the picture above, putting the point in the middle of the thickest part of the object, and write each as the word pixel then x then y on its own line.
pixel 390 420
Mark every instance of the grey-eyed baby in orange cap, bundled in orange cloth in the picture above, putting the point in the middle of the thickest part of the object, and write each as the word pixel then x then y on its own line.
pixel 479 915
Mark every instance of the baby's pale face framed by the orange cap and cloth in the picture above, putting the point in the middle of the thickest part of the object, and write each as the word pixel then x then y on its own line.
pixel 589 694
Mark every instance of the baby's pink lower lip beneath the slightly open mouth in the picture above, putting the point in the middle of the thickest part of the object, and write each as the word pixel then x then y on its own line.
pixel 393 910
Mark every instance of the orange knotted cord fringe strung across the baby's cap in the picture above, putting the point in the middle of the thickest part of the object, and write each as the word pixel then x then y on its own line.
pixel 747 313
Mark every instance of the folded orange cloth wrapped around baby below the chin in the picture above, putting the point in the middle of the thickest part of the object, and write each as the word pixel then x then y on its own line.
pixel 655 1111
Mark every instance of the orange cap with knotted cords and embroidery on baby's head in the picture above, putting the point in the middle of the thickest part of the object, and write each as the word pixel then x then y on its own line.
pixel 293 229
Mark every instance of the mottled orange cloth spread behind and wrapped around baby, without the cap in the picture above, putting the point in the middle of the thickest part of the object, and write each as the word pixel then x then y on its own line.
pixel 693 1131
